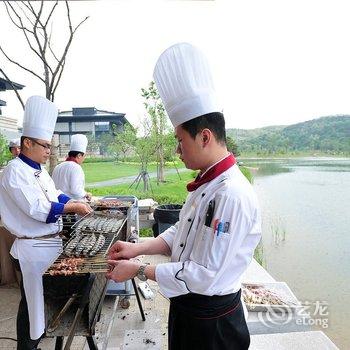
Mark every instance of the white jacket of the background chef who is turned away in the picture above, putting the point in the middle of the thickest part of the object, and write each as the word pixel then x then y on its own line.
pixel 69 177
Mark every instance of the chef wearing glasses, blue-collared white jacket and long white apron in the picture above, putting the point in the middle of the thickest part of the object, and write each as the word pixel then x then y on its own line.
pixel 29 210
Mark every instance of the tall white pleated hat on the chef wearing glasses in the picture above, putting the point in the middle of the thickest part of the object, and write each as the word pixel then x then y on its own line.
pixel 39 119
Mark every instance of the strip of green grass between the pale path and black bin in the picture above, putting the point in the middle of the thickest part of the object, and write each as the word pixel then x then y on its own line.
pixel 172 191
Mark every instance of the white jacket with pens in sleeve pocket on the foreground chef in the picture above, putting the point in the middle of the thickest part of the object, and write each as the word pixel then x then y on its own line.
pixel 210 258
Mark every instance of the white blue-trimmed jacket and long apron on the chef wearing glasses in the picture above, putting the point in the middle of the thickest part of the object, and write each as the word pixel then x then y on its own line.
pixel 29 207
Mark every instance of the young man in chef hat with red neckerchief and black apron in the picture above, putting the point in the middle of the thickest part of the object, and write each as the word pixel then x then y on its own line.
pixel 219 226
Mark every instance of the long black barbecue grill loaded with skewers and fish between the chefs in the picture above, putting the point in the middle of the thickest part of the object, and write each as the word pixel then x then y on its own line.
pixel 74 297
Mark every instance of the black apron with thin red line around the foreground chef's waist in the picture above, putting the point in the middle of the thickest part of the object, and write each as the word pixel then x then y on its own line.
pixel 200 322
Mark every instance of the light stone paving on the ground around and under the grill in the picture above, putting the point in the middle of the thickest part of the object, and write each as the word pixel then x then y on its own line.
pixel 118 328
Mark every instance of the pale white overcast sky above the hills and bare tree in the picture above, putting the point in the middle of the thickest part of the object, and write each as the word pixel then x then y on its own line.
pixel 274 62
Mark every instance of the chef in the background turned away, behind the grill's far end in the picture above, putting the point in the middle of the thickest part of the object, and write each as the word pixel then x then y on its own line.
pixel 69 176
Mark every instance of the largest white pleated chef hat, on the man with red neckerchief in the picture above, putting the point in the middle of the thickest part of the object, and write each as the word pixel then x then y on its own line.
pixel 185 84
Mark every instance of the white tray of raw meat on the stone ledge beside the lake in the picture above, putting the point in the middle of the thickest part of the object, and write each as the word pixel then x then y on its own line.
pixel 281 289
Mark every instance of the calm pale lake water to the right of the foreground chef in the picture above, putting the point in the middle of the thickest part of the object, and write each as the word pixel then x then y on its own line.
pixel 305 204
